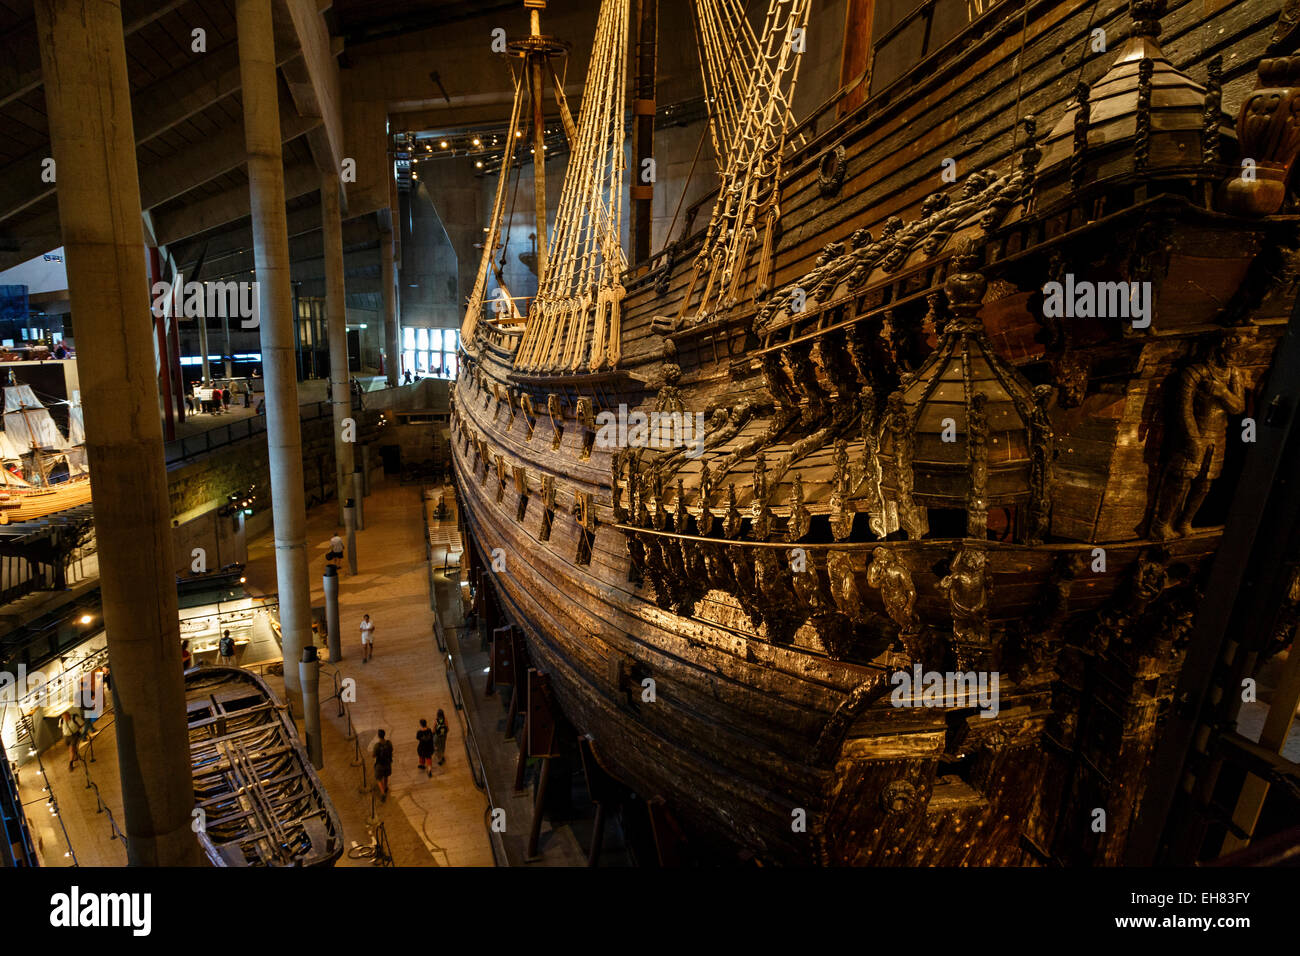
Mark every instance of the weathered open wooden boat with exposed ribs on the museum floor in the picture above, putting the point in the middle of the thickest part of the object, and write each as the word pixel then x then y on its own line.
pixel 262 801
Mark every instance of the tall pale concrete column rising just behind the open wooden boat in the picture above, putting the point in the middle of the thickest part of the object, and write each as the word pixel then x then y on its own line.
pixel 276 317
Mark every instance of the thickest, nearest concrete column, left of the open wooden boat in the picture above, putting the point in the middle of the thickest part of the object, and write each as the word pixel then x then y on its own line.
pixel 89 105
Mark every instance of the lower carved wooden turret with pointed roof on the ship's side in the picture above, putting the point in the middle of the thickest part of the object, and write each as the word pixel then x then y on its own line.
pixel 959 436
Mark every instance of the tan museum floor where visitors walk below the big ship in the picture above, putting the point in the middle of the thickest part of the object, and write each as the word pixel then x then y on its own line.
pixel 430 823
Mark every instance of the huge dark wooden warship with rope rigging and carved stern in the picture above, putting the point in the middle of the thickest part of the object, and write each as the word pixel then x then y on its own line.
pixel 974 431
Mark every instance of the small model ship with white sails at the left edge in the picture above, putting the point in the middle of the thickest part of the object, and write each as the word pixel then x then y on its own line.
pixel 33 442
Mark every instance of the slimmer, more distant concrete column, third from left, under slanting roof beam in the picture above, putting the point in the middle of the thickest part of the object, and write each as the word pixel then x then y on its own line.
pixel 336 314
